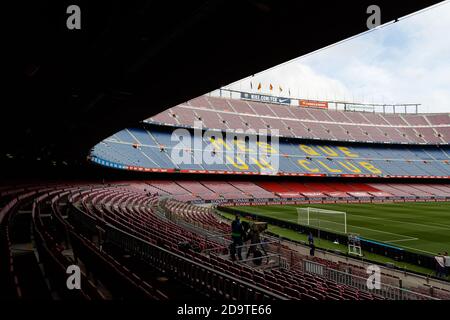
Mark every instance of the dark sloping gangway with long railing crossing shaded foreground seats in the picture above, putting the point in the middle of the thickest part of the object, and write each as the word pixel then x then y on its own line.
pixel 184 269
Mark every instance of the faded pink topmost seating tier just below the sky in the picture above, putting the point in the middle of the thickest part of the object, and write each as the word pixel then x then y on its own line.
pixel 291 121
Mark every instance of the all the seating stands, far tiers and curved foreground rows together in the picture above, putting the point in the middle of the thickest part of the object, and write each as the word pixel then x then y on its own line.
pixel 97 224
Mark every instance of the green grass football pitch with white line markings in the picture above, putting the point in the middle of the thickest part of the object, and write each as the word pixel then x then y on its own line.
pixel 423 227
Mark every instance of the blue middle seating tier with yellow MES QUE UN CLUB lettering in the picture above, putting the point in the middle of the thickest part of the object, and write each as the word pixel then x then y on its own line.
pixel 293 157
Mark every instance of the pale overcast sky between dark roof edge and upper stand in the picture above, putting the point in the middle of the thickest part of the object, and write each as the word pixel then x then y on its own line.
pixel 404 62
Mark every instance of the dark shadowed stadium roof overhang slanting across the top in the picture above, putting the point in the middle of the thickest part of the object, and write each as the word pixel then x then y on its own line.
pixel 74 88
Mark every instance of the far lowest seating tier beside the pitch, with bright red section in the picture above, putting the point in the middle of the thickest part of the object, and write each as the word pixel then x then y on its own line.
pixel 191 191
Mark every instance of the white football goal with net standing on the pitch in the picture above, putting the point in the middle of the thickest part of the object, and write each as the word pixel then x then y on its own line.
pixel 330 220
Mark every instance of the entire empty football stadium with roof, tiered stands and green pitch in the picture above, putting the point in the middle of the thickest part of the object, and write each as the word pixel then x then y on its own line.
pixel 250 192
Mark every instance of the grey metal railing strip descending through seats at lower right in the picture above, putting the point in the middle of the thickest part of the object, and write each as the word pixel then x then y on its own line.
pixel 386 291
